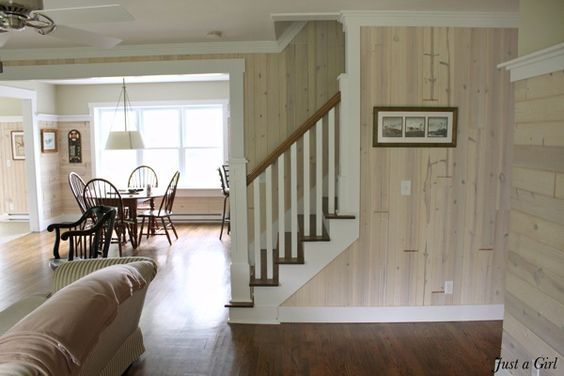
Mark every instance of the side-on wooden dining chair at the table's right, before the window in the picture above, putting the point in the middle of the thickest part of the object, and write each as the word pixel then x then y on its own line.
pixel 164 212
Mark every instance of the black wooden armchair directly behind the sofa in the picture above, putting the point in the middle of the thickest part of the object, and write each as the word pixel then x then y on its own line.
pixel 89 237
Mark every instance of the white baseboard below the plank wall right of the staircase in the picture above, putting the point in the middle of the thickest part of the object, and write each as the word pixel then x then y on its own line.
pixel 391 314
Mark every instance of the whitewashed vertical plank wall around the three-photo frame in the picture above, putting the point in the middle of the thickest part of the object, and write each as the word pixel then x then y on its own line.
pixel 454 225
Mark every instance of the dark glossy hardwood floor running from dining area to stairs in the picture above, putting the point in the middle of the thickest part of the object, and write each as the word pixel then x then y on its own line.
pixel 186 332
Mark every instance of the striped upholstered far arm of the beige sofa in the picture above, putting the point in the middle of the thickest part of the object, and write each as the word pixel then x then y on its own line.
pixel 71 271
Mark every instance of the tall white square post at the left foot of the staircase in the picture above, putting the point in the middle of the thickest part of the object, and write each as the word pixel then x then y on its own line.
pixel 240 272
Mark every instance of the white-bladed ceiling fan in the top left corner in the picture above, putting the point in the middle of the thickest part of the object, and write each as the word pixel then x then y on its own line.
pixel 18 15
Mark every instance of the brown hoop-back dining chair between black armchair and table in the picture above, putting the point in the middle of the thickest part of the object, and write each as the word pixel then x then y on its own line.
pixel 99 192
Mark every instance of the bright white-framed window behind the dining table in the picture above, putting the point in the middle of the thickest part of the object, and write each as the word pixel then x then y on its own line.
pixel 190 138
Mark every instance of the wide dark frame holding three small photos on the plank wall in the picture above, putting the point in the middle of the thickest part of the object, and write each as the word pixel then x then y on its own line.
pixel 414 126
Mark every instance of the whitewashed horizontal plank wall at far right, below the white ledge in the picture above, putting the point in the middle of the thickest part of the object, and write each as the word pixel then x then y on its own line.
pixel 534 307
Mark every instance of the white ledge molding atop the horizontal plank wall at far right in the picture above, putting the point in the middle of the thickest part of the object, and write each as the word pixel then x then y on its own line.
pixel 541 62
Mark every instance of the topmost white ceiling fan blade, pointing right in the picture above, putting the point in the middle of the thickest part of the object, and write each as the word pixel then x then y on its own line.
pixel 92 14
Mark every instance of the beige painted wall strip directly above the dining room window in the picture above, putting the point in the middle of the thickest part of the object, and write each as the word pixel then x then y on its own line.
pixel 74 99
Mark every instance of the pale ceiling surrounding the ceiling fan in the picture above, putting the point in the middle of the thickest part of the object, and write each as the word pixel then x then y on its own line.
pixel 182 21
